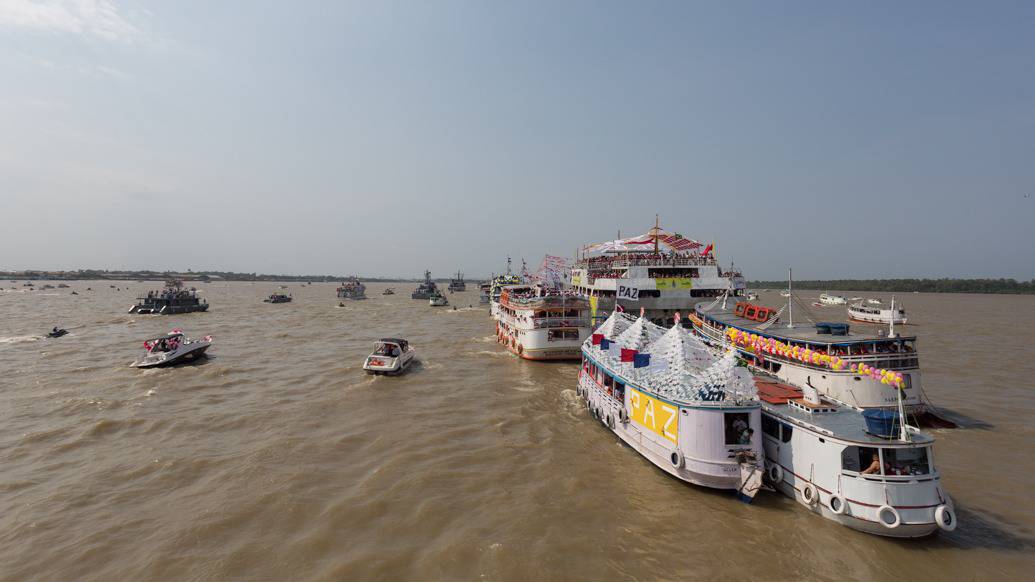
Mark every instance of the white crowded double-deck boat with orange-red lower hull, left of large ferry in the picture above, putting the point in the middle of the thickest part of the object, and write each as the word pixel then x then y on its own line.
pixel 538 323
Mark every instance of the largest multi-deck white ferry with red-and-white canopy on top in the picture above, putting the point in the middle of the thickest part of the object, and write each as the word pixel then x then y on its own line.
pixel 662 273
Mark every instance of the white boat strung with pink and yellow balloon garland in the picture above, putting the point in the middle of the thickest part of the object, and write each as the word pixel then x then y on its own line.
pixel 856 369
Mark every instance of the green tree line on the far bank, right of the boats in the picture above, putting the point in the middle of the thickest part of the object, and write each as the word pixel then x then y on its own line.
pixel 1011 286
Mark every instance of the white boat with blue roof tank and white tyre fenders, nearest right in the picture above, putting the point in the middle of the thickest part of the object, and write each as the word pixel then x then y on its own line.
pixel 834 461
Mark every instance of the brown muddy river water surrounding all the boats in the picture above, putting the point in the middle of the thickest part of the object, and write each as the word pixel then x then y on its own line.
pixel 279 459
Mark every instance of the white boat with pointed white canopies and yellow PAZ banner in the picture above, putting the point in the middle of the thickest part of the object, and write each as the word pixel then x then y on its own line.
pixel 695 416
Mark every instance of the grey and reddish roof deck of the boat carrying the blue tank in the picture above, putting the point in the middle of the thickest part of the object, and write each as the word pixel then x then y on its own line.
pixel 842 422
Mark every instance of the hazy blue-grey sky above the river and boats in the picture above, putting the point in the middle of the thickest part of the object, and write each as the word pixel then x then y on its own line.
pixel 846 140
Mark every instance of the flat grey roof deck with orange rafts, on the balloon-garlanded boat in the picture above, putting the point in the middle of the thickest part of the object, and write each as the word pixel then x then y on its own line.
pixel 803 332
